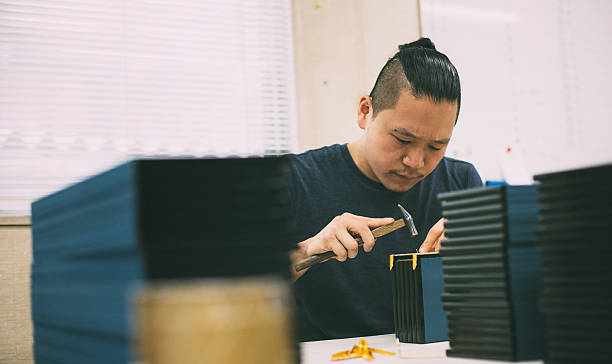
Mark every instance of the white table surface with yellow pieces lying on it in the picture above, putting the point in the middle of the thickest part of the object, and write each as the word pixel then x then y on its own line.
pixel 317 352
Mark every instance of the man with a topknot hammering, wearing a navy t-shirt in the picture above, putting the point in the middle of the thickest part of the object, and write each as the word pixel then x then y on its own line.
pixel 408 120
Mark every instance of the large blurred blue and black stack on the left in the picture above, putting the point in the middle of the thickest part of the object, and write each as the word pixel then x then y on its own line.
pixel 142 221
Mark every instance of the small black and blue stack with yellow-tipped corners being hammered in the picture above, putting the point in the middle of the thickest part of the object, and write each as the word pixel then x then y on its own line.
pixel 417 285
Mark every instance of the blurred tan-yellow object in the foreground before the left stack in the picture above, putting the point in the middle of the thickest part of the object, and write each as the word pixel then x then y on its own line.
pixel 222 321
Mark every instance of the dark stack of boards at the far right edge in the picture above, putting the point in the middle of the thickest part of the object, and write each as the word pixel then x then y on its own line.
pixel 575 237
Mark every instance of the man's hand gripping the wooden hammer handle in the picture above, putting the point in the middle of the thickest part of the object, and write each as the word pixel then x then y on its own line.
pixel 336 236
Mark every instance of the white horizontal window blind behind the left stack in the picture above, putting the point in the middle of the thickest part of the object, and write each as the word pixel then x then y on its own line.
pixel 85 85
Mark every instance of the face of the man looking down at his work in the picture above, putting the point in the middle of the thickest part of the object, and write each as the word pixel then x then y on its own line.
pixel 405 144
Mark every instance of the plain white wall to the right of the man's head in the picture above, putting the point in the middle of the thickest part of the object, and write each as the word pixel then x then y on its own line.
pixel 535 77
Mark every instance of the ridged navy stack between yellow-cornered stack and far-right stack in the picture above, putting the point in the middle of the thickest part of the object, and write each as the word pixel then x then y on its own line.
pixel 492 273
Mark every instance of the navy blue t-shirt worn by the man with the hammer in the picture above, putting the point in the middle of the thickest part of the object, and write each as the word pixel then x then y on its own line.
pixel 353 298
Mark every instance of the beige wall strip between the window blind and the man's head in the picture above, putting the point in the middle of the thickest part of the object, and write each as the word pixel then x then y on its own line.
pixel 340 46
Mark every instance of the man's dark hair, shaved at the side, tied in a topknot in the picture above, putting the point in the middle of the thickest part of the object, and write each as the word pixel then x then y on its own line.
pixel 420 69
